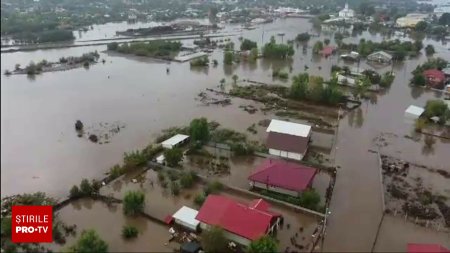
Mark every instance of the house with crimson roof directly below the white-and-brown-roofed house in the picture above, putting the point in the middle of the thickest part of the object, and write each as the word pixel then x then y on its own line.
pixel 283 177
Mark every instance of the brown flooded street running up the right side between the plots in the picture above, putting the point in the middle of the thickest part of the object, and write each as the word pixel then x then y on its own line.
pixel 356 206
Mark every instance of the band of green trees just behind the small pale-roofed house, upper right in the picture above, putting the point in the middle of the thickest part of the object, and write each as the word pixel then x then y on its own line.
pixel 398 49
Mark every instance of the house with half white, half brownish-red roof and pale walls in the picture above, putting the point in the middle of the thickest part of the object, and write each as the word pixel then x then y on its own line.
pixel 288 139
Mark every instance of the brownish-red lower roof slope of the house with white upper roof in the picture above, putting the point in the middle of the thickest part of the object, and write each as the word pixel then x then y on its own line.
pixel 287 142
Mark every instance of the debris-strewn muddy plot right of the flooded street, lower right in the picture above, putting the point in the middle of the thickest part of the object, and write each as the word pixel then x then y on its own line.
pixel 417 193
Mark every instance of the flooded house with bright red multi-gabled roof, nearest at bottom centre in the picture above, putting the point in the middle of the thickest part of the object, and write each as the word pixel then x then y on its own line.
pixel 242 223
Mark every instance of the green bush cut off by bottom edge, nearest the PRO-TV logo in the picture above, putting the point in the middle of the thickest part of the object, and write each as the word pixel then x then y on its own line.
pixel 89 241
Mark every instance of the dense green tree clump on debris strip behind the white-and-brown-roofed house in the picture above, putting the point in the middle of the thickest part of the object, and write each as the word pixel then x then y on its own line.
pixel 311 88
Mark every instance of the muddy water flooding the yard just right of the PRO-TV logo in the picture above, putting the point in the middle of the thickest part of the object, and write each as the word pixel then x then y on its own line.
pixel 108 223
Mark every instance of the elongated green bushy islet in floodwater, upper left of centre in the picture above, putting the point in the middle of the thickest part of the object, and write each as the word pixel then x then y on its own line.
pixel 158 48
